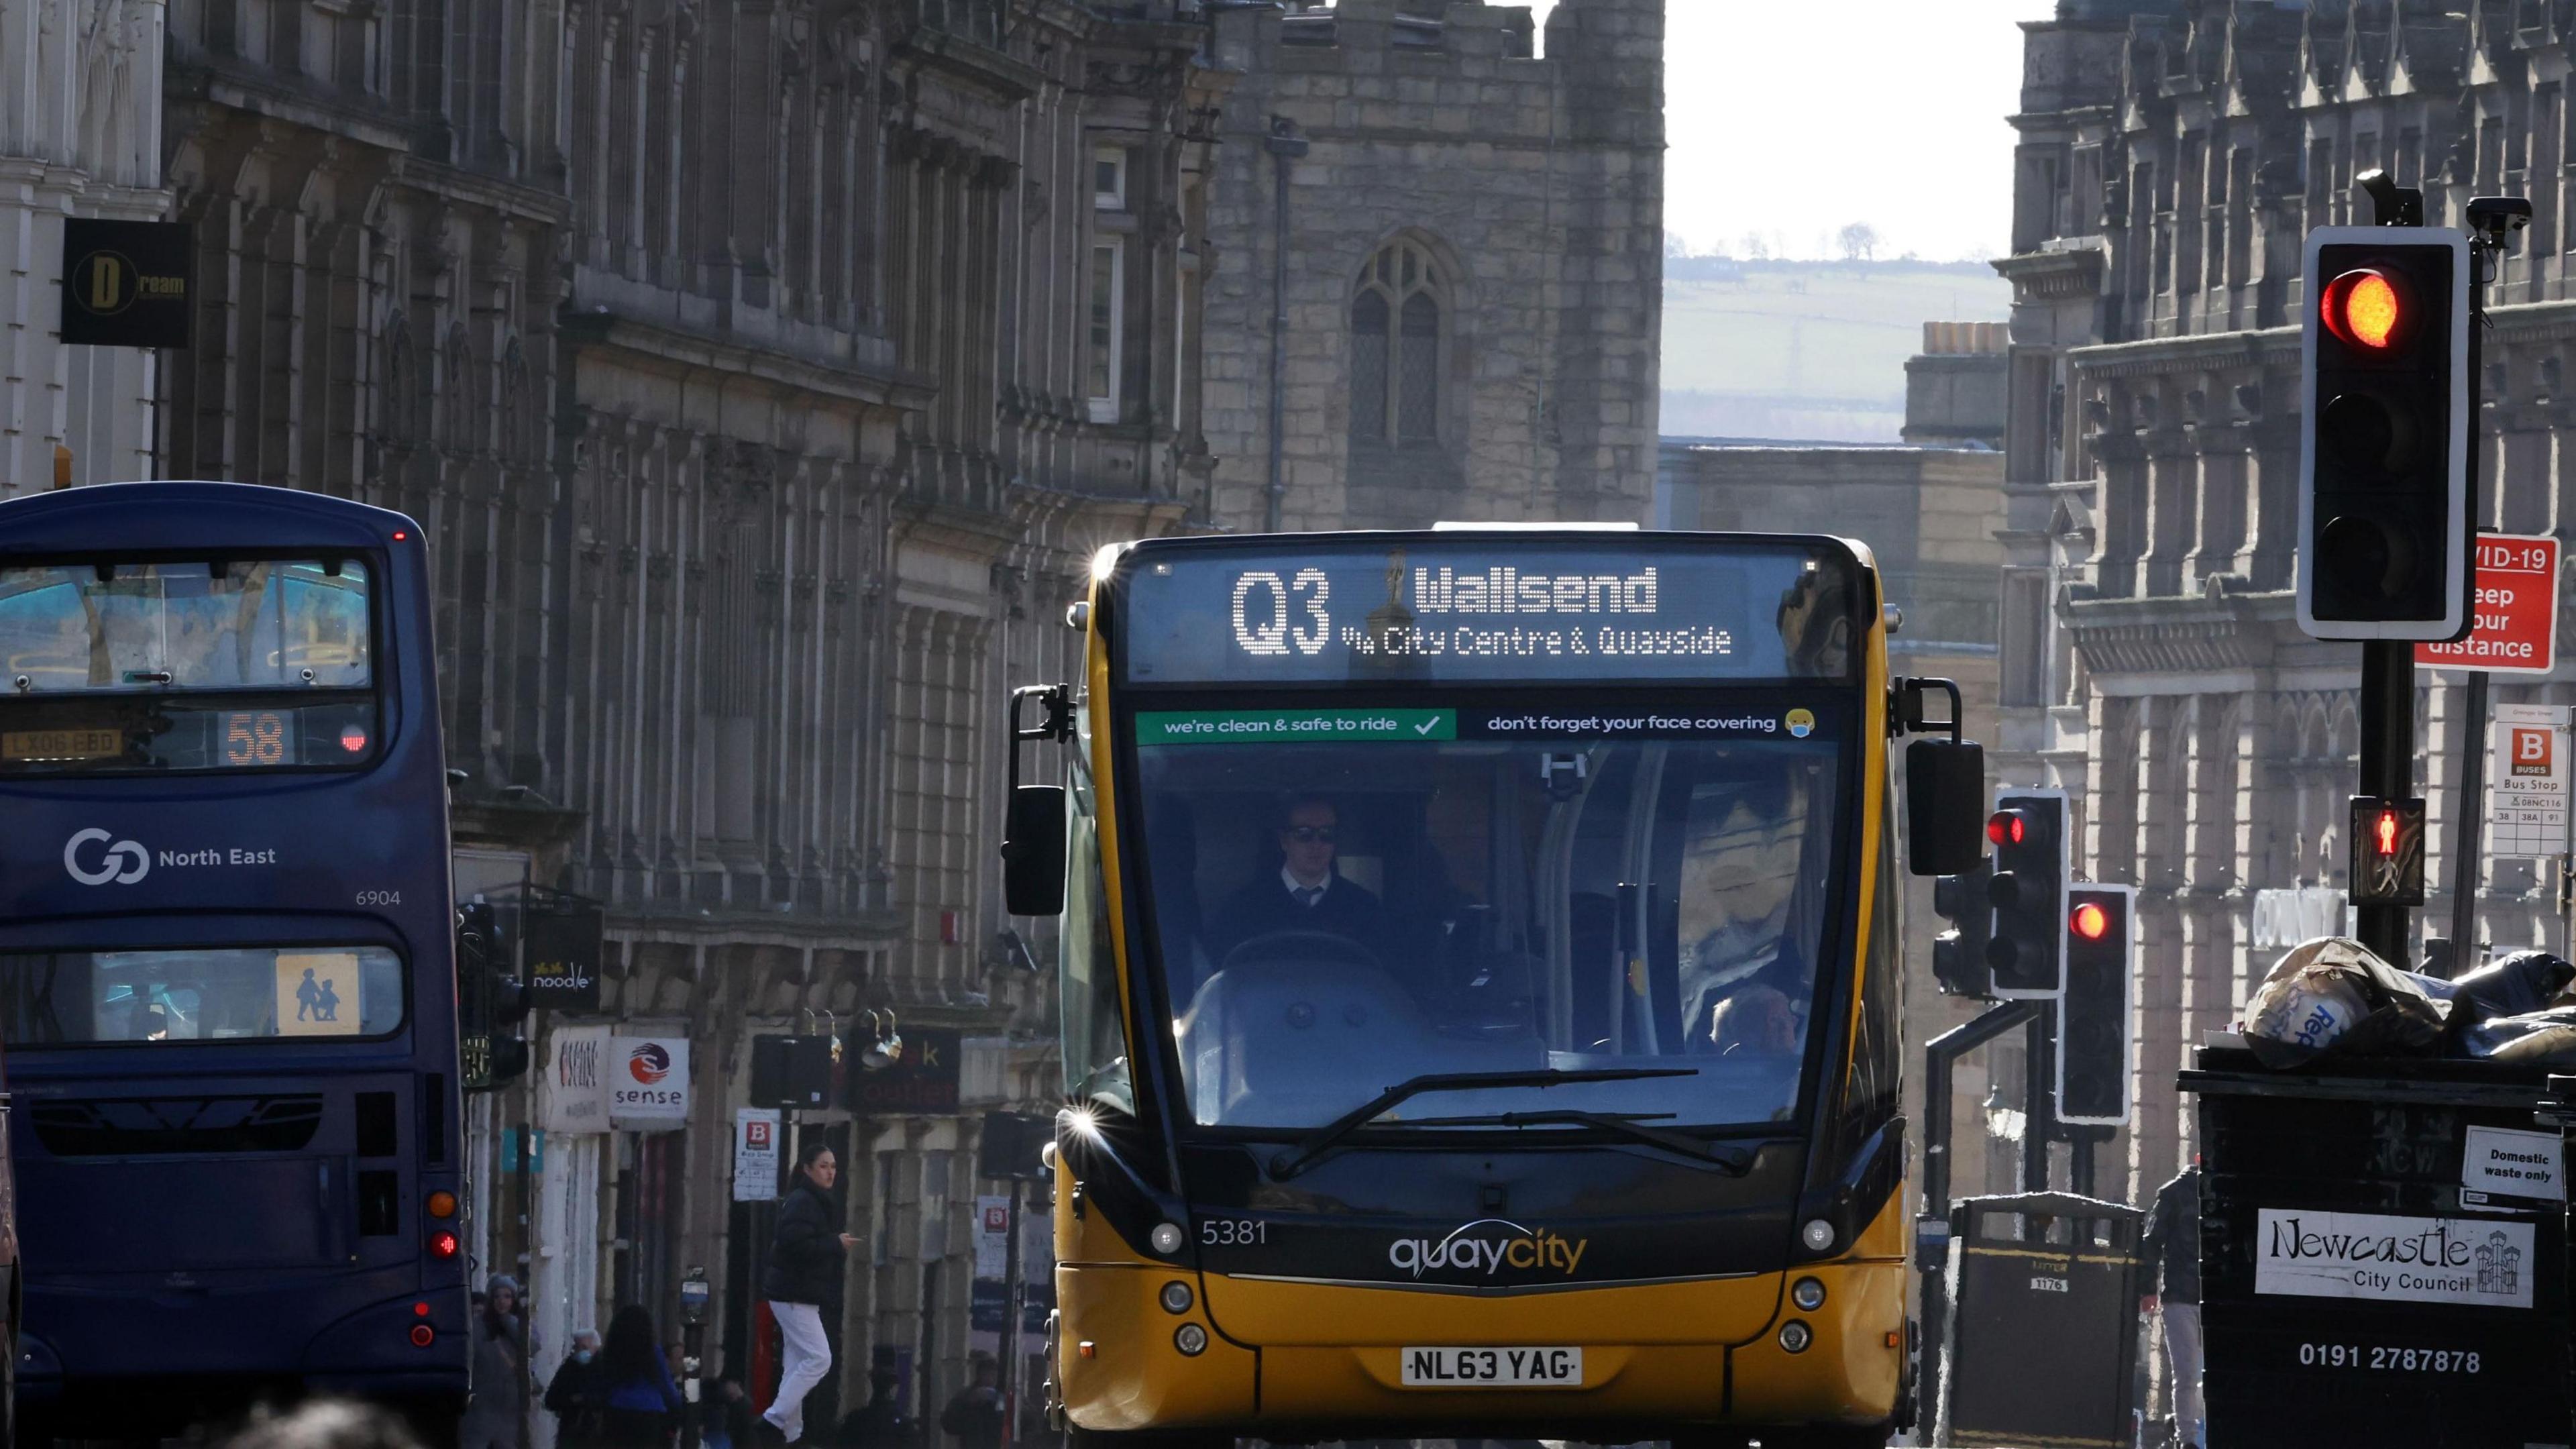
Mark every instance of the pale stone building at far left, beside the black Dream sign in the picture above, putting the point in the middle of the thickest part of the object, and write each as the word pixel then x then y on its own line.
pixel 81 135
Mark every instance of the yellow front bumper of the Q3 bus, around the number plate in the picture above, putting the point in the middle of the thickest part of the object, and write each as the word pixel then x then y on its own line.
pixel 1328 1360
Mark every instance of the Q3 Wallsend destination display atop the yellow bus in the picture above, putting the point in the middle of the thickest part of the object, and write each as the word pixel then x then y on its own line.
pixel 1490 612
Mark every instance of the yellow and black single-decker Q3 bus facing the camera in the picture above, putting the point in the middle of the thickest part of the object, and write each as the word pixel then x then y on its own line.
pixel 1482 989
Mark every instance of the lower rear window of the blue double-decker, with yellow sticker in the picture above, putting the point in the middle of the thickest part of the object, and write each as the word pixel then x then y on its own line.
pixel 210 994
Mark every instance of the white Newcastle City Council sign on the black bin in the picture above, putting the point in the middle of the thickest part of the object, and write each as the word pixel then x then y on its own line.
pixel 2394 1259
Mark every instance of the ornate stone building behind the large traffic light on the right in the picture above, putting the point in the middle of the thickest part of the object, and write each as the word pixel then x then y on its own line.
pixel 2173 159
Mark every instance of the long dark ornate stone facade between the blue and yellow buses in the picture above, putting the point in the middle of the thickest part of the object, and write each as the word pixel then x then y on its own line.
pixel 738 362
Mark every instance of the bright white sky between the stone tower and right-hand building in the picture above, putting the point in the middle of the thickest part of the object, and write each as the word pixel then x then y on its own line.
pixel 1797 120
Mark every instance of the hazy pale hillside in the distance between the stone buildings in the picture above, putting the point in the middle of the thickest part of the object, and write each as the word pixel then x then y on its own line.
pixel 1807 349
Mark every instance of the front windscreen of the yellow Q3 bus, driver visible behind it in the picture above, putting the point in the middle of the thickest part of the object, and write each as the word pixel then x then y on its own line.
pixel 1495 888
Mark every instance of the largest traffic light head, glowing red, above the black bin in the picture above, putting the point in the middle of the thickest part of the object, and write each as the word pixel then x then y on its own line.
pixel 2387 512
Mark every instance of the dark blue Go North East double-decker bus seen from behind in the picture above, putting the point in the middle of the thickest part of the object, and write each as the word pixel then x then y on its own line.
pixel 228 958
